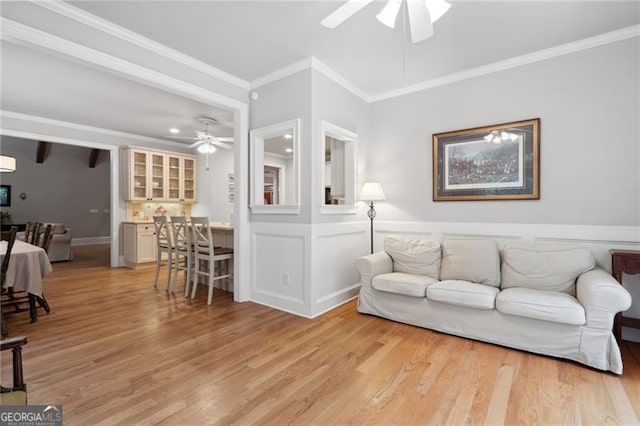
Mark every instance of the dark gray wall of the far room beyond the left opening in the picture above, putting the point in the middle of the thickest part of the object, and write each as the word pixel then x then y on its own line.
pixel 61 189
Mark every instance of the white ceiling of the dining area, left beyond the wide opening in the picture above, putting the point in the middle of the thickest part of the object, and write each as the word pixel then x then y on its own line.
pixel 39 84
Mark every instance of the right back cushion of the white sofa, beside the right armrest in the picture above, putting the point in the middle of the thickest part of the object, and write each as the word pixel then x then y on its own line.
pixel 545 269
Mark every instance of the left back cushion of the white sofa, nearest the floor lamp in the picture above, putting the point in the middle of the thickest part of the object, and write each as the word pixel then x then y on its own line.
pixel 418 256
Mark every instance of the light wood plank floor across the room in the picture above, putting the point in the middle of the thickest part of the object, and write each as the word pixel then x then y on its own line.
pixel 114 350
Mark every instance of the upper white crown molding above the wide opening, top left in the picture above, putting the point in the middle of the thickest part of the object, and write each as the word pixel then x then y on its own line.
pixel 107 27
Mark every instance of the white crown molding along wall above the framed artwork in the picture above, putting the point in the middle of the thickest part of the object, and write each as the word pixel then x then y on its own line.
pixel 530 58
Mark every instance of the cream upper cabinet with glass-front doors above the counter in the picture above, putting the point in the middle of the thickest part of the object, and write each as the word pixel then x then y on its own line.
pixel 159 176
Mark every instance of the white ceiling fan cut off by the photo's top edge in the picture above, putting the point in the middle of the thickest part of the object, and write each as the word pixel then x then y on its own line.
pixel 422 15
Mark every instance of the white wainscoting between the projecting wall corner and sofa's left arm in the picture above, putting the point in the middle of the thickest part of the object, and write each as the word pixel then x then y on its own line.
pixel 334 278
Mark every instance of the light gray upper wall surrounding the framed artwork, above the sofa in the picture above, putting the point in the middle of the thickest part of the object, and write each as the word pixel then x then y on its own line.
pixel 588 103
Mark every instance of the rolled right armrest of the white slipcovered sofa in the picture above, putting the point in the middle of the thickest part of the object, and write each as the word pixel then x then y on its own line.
pixel 602 297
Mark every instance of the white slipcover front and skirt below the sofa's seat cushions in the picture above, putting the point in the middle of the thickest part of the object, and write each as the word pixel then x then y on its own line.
pixel 596 348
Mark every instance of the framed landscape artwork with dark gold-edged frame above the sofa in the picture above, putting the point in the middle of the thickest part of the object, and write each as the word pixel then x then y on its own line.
pixel 498 162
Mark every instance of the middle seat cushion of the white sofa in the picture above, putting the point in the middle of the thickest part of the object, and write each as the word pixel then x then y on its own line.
pixel 463 293
